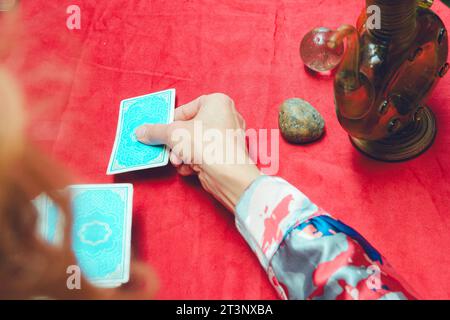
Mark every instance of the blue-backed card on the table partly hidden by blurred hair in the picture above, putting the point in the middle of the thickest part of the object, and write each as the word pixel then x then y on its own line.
pixel 101 232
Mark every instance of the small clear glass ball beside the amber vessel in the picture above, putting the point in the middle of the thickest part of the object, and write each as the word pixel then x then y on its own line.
pixel 315 52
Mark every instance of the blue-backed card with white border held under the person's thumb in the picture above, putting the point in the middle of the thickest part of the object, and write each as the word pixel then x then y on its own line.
pixel 128 154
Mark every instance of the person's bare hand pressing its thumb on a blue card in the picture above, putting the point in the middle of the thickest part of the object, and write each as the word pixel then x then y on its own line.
pixel 224 176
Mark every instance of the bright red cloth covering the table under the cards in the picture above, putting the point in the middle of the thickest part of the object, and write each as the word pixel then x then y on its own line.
pixel 249 50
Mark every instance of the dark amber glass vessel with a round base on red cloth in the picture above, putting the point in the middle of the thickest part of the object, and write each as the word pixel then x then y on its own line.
pixel 385 76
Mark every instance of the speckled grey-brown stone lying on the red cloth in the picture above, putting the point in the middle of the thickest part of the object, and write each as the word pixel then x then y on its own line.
pixel 299 121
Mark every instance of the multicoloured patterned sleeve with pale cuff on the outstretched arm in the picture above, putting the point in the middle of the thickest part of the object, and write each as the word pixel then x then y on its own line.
pixel 307 253
